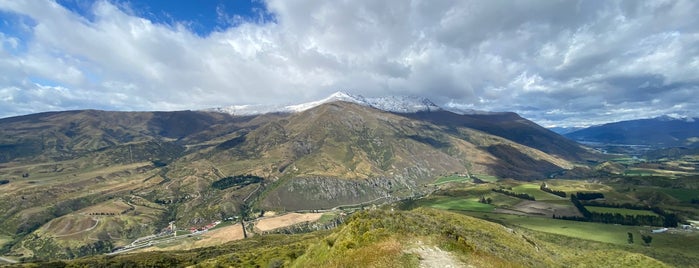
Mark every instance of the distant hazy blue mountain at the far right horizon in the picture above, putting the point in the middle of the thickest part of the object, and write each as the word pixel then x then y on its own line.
pixel 656 132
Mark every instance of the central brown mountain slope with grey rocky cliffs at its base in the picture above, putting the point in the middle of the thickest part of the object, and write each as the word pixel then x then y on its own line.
pixel 384 155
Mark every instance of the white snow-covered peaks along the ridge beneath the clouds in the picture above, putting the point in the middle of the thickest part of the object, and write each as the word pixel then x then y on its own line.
pixel 389 104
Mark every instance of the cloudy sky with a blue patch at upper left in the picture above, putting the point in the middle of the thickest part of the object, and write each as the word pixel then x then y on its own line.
pixel 558 63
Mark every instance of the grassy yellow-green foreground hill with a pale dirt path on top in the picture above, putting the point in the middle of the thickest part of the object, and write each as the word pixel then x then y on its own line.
pixel 383 238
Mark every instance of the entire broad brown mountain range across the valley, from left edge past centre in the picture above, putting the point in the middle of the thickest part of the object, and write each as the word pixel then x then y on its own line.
pixel 84 182
